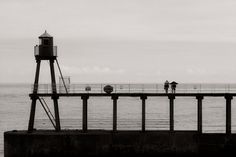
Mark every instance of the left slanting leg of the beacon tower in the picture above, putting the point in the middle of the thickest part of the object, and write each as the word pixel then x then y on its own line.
pixel 34 98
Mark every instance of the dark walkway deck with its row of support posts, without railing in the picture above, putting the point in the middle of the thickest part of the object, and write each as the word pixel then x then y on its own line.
pixel 143 96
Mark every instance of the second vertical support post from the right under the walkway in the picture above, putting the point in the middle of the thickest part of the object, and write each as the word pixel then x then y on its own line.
pixel 199 113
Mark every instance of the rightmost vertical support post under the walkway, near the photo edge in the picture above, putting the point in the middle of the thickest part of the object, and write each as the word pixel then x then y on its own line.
pixel 228 113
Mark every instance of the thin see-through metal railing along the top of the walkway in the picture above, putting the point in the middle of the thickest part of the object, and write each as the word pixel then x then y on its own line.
pixel 137 88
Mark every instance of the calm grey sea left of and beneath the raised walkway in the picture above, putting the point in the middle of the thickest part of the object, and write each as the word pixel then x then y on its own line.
pixel 15 107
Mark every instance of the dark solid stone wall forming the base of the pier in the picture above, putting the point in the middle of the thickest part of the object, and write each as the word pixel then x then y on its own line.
pixel 96 143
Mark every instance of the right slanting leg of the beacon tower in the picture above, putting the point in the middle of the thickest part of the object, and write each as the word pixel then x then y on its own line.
pixel 55 96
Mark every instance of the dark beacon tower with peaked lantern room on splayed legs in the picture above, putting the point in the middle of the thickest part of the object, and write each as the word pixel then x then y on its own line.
pixel 44 51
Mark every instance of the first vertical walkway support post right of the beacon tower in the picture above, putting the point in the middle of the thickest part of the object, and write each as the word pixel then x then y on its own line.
pixel 85 112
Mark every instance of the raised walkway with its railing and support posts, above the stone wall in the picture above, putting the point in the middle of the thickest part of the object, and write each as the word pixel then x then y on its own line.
pixel 143 91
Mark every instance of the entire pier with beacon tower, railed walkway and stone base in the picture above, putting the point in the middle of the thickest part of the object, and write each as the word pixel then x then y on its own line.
pixel 87 142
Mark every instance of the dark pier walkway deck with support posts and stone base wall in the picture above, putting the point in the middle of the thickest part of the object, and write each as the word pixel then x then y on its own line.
pixel 125 142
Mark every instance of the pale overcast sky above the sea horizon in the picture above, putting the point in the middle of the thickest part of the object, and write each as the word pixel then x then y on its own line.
pixel 121 41
